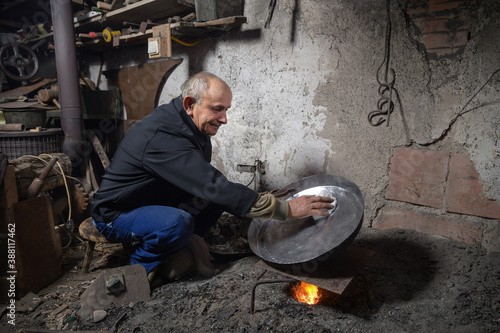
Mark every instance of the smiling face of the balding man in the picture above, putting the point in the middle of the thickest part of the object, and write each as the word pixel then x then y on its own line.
pixel 211 114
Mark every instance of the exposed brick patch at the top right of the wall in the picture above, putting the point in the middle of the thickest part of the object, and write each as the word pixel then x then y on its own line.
pixel 442 25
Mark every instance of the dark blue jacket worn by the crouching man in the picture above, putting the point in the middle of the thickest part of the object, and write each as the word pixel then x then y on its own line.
pixel 165 160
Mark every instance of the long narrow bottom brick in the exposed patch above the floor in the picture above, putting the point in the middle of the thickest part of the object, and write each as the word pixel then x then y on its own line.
pixel 463 231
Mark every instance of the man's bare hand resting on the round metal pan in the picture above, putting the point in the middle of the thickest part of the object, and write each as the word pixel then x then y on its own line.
pixel 308 205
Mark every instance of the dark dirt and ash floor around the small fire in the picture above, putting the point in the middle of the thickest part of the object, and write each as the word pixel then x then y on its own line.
pixel 413 282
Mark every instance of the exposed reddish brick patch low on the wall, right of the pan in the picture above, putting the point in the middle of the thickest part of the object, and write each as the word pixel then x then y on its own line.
pixel 442 195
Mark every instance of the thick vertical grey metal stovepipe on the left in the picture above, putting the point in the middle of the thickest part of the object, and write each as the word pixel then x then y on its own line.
pixel 68 79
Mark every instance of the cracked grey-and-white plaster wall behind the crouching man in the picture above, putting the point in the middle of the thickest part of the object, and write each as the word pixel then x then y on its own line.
pixel 304 86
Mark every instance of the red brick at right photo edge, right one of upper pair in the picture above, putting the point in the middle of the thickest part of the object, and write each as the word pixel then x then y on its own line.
pixel 464 193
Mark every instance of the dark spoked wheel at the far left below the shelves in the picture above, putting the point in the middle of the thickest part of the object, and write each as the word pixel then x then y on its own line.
pixel 18 61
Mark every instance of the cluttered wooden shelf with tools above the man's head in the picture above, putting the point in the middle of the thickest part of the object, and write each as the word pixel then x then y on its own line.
pixel 136 23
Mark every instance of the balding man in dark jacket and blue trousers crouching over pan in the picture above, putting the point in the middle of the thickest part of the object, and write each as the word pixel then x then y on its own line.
pixel 160 189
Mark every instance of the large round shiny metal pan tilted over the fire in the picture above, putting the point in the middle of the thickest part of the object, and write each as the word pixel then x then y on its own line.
pixel 296 241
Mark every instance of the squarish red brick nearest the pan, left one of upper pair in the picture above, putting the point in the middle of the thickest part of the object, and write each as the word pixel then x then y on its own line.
pixel 418 176
